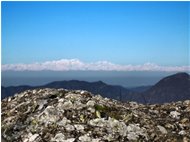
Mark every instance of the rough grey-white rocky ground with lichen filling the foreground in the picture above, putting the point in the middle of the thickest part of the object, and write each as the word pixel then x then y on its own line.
pixel 59 115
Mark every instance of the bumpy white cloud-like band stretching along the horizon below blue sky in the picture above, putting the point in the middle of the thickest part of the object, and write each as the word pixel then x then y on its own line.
pixel 78 65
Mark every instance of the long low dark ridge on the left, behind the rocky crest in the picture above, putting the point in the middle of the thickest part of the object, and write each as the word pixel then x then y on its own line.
pixel 99 87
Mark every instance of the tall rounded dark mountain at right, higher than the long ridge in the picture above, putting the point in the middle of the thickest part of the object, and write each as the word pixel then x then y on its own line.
pixel 170 89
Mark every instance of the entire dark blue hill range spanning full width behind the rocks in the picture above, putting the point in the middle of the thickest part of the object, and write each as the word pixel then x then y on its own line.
pixel 172 88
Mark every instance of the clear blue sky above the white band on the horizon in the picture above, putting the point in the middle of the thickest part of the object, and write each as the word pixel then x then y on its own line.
pixel 118 32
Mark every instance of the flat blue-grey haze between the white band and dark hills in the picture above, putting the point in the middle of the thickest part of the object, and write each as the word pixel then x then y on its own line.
pixel 126 79
